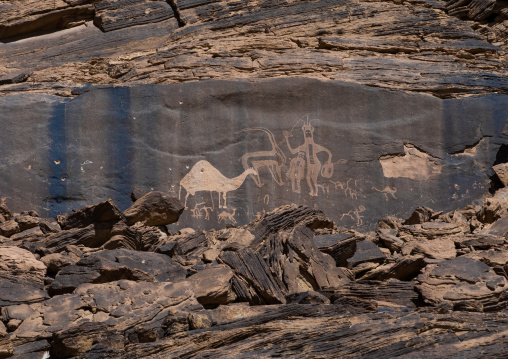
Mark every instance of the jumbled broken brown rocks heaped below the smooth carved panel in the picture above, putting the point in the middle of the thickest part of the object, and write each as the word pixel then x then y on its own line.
pixel 102 283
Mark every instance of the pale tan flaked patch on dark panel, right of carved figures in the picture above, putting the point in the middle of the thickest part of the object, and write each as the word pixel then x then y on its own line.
pixel 414 164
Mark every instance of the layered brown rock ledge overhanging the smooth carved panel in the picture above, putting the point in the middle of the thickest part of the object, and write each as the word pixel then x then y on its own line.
pixel 447 49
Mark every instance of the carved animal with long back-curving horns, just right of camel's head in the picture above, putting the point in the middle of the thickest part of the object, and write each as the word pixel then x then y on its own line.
pixel 273 159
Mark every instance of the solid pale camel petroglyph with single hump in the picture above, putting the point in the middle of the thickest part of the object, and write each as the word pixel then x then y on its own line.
pixel 204 177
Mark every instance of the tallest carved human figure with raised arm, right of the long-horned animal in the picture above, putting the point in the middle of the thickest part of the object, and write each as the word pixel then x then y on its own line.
pixel 313 166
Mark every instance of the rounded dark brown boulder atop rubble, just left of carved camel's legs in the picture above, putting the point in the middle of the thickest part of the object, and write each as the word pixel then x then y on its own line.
pixel 154 209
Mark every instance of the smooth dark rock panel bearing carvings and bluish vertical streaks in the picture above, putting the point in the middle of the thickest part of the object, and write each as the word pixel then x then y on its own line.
pixel 234 150
